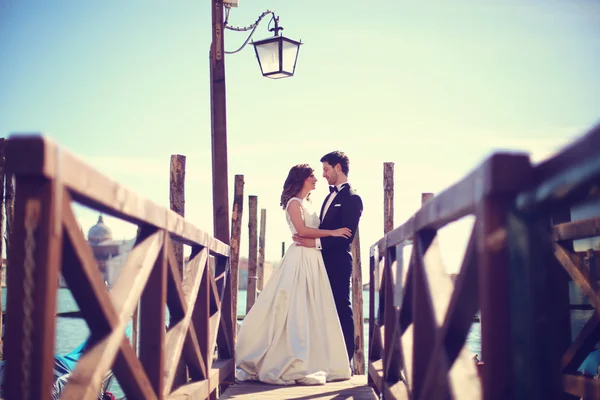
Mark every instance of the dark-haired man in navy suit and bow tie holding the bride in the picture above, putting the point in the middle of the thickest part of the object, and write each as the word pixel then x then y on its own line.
pixel 341 208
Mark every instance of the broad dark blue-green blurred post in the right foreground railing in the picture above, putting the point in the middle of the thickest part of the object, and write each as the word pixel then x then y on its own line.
pixel 534 339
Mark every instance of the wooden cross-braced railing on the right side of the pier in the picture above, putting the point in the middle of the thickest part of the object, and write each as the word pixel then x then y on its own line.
pixel 419 320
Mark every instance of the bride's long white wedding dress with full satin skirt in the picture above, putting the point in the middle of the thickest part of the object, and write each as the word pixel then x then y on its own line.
pixel 292 334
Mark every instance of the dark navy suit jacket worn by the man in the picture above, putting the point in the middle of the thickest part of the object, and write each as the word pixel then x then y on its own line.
pixel 345 211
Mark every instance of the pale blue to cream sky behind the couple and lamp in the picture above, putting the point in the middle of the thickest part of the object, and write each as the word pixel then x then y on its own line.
pixel 434 87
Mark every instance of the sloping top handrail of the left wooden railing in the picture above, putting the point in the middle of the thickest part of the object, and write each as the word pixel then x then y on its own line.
pixel 34 155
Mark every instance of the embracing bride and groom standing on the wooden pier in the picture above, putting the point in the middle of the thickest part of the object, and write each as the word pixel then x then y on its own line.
pixel 301 329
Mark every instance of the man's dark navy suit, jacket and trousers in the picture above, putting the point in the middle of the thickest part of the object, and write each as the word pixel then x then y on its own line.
pixel 345 211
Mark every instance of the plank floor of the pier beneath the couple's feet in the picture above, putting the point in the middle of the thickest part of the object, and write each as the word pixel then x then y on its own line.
pixel 355 388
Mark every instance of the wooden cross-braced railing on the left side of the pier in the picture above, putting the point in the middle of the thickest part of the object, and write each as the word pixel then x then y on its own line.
pixel 47 240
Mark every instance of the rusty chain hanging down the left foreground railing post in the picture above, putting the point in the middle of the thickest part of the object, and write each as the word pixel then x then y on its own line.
pixel 32 217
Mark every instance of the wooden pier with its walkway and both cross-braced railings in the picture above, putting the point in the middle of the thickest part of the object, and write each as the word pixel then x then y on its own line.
pixel 518 269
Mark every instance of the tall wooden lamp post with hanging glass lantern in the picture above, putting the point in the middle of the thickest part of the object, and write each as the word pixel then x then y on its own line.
pixel 277 59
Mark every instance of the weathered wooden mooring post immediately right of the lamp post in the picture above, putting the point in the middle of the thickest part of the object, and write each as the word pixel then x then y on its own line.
pixel 236 234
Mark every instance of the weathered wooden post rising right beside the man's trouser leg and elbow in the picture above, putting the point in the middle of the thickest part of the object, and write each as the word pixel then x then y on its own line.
pixel 357 308
